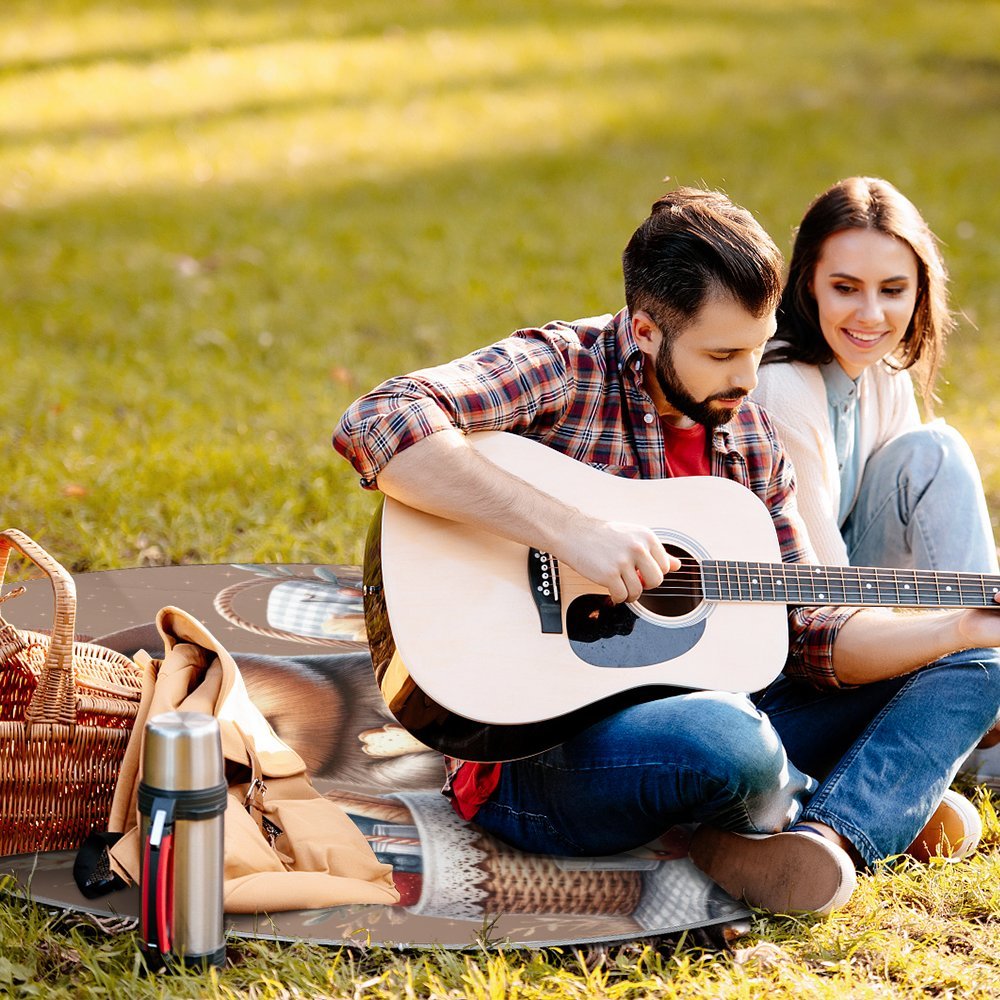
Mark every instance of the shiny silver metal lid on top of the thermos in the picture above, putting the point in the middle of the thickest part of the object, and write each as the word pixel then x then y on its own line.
pixel 182 752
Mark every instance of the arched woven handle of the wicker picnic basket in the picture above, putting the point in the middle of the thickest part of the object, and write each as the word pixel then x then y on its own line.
pixel 54 700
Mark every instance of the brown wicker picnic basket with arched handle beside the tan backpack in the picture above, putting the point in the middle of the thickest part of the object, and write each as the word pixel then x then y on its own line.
pixel 66 711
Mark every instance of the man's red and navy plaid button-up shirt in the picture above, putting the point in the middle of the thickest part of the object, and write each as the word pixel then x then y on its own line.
pixel 577 387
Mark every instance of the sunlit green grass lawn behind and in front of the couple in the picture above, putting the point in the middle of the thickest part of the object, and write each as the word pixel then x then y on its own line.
pixel 221 221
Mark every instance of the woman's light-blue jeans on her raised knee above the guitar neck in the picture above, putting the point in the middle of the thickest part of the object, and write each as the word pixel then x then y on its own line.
pixel 921 506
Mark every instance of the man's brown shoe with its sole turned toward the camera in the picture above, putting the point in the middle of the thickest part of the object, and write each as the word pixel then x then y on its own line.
pixel 789 872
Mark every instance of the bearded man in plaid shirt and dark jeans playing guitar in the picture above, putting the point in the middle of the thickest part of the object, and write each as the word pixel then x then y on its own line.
pixel 660 390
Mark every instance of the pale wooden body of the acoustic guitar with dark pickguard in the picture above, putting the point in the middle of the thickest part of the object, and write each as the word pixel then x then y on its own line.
pixel 458 636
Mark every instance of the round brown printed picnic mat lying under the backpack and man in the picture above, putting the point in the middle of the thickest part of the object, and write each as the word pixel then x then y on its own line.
pixel 293 632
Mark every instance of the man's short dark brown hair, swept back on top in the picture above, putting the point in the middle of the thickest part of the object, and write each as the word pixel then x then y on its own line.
pixel 693 245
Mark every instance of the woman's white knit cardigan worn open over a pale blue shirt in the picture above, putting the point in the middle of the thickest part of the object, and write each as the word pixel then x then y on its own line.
pixel 794 395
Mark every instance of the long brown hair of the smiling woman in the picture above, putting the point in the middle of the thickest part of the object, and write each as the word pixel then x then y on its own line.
pixel 866 203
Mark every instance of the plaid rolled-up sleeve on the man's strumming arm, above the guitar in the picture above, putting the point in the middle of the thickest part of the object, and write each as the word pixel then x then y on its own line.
pixel 517 383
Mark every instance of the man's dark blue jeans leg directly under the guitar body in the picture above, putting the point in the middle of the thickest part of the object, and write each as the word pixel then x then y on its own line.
pixel 695 757
